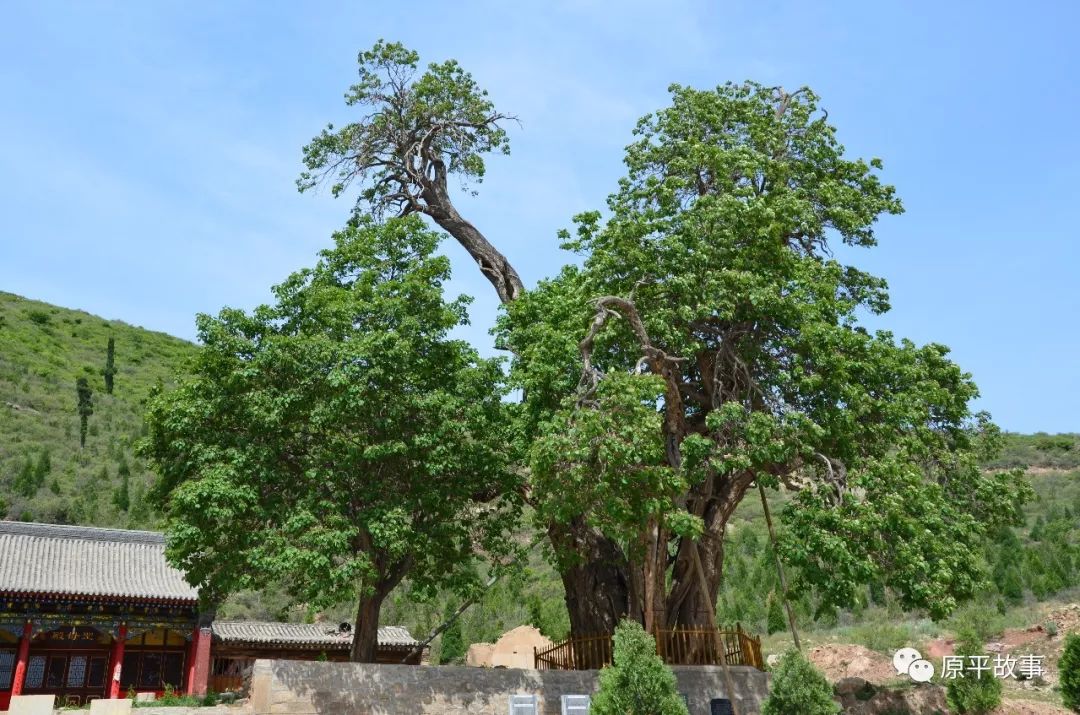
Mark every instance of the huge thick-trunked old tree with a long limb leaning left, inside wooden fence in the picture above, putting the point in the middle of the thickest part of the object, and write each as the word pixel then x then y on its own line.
pixel 710 341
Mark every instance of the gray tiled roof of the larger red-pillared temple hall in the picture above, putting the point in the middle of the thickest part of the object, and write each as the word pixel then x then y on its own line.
pixel 88 562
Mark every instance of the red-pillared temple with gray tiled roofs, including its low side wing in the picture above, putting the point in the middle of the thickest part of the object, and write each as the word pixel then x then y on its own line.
pixel 89 613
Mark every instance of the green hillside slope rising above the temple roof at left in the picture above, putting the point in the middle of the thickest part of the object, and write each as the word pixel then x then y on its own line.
pixel 45 476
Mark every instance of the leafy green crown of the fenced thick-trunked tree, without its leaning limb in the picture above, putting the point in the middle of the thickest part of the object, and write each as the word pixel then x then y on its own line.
pixel 725 326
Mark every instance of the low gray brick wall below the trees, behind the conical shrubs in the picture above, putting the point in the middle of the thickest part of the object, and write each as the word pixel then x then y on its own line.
pixel 315 689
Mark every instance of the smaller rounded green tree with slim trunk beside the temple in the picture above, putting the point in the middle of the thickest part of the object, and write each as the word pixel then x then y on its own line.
pixel 339 440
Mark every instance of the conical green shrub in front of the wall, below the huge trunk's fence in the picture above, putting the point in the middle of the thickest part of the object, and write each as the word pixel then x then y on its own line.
pixel 638 683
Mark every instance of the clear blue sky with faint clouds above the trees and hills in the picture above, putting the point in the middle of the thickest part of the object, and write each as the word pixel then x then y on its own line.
pixel 151 150
